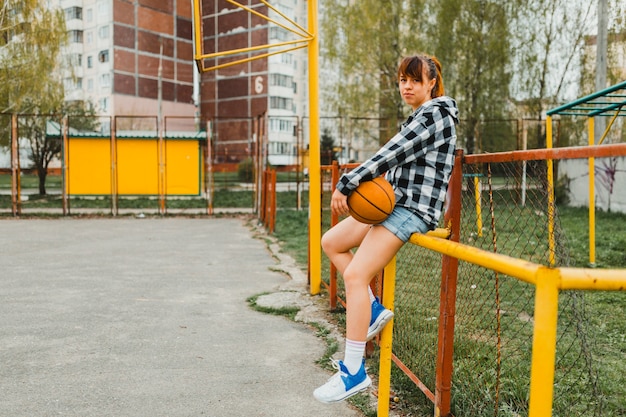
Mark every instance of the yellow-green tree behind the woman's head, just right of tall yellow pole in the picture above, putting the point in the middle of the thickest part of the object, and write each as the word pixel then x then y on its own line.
pixel 366 39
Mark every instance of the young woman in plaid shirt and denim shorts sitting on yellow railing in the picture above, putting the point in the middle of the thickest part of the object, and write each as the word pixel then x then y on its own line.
pixel 417 162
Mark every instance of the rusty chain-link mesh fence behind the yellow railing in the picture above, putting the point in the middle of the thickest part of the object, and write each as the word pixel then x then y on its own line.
pixel 504 210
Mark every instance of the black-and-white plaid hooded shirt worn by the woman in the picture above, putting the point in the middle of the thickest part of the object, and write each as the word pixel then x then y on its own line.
pixel 417 161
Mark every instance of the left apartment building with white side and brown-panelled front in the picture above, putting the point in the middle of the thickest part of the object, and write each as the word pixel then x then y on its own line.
pixel 131 57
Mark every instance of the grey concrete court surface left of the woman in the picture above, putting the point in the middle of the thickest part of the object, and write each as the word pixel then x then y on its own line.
pixel 148 317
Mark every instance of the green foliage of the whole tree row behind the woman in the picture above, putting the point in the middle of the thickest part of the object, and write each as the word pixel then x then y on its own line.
pixel 495 64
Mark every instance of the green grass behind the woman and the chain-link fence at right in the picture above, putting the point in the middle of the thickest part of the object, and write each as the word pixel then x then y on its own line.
pixel 592 325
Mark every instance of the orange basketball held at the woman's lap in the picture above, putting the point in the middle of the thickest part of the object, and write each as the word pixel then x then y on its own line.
pixel 372 201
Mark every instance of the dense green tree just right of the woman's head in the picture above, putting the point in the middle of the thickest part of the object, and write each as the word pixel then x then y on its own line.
pixel 471 39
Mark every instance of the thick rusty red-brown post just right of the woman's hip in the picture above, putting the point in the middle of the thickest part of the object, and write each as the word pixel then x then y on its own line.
pixel 447 309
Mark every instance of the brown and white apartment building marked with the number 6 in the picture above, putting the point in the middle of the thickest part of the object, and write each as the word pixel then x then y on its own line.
pixel 237 98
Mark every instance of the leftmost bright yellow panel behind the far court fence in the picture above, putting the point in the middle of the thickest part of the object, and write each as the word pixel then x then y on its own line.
pixel 89 166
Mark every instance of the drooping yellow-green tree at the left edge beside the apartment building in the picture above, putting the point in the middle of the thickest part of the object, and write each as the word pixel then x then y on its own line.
pixel 31 64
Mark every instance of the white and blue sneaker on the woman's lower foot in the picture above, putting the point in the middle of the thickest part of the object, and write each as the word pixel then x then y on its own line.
pixel 342 385
